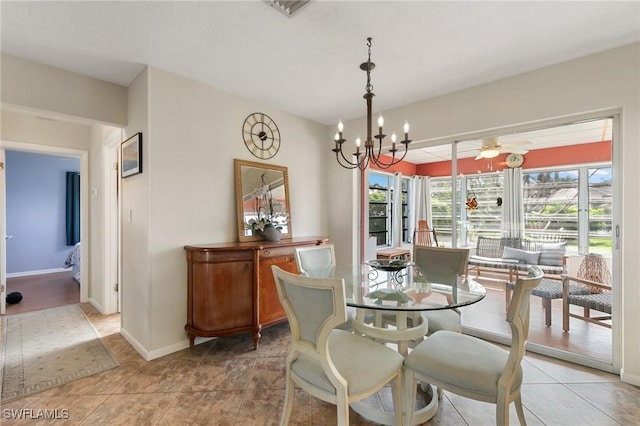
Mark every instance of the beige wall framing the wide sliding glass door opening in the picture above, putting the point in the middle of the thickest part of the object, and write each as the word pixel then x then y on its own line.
pixel 609 81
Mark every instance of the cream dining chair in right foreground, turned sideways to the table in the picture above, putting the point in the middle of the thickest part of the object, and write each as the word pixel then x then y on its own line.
pixel 472 367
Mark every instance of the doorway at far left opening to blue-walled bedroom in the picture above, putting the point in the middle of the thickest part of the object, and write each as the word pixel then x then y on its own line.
pixel 42 220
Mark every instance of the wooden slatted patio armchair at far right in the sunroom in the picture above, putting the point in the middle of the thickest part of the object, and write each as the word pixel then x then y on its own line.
pixel 594 274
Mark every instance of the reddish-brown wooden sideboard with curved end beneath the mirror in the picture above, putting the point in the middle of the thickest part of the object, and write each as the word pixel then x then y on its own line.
pixel 230 286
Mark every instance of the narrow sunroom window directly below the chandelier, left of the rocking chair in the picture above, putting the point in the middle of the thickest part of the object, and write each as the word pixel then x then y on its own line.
pixel 381 220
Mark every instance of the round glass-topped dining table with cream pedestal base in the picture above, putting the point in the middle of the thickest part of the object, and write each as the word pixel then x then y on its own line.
pixel 388 299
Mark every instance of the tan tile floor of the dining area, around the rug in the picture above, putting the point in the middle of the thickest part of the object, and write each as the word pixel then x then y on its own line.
pixel 223 382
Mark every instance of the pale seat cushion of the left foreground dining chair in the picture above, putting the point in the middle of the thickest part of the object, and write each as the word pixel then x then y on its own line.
pixel 364 364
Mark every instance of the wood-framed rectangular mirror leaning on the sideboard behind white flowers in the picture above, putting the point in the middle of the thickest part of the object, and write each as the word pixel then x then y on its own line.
pixel 262 196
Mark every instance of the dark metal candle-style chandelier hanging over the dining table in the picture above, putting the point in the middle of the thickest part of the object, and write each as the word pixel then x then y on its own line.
pixel 372 153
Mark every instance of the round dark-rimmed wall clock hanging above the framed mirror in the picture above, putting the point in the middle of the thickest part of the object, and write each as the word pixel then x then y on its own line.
pixel 261 135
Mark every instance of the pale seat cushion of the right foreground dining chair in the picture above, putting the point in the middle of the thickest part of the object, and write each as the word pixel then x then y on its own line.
pixel 464 361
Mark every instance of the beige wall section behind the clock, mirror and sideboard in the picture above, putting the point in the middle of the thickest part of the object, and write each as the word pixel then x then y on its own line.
pixel 186 193
